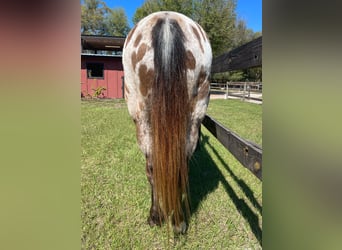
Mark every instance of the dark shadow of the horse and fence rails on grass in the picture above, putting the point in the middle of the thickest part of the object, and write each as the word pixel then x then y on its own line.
pixel 204 178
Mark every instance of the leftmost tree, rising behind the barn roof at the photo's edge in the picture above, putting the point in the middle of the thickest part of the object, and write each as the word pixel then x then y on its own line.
pixel 93 17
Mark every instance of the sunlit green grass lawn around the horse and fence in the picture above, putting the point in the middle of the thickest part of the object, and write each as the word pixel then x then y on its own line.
pixel 226 198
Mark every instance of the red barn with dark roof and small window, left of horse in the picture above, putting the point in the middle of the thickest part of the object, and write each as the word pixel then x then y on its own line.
pixel 101 66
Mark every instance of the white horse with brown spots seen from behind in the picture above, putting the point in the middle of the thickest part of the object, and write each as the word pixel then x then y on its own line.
pixel 167 60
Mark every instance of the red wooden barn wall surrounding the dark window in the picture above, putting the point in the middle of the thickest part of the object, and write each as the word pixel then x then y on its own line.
pixel 112 80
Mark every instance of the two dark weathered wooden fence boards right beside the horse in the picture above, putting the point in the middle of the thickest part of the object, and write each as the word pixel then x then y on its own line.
pixel 247 153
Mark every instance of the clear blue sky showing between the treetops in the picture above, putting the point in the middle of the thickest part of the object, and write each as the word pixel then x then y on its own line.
pixel 248 10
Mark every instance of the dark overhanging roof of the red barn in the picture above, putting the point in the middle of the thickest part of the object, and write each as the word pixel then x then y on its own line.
pixel 91 42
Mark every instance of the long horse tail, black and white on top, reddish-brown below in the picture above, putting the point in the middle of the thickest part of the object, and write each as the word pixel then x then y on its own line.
pixel 169 120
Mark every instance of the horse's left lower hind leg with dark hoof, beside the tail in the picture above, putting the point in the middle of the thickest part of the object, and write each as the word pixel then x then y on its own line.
pixel 155 218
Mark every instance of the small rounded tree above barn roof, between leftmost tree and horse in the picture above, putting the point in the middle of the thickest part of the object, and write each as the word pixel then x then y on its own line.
pixel 116 23
